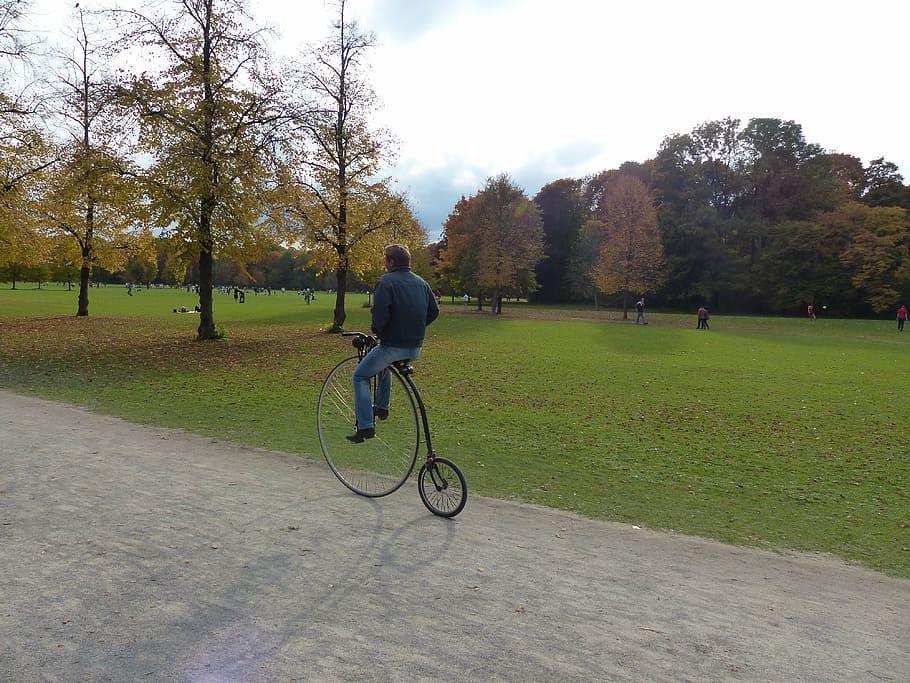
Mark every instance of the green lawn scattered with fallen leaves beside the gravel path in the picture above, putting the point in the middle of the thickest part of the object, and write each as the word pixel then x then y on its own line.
pixel 777 433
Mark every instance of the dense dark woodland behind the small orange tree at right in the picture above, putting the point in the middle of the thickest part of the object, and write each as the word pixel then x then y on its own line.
pixel 750 219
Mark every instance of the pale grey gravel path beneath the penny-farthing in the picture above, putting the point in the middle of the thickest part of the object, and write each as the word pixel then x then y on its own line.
pixel 133 553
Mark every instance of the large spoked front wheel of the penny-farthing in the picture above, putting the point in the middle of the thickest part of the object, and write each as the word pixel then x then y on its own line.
pixel 378 466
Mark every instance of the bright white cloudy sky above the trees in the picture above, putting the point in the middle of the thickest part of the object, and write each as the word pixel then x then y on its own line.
pixel 550 89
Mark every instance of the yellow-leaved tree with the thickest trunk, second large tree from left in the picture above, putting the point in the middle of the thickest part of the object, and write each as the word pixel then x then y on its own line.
pixel 212 120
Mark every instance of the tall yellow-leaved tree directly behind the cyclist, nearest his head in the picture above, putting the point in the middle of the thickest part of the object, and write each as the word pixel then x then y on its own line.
pixel 345 213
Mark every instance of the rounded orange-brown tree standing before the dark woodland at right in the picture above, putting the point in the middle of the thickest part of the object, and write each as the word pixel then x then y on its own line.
pixel 631 255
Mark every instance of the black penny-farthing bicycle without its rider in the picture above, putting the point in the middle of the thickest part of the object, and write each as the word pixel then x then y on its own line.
pixel 379 466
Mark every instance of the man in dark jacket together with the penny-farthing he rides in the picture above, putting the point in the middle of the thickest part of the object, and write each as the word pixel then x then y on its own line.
pixel 371 443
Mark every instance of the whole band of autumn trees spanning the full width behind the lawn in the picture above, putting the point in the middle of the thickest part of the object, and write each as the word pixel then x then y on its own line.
pixel 213 163
